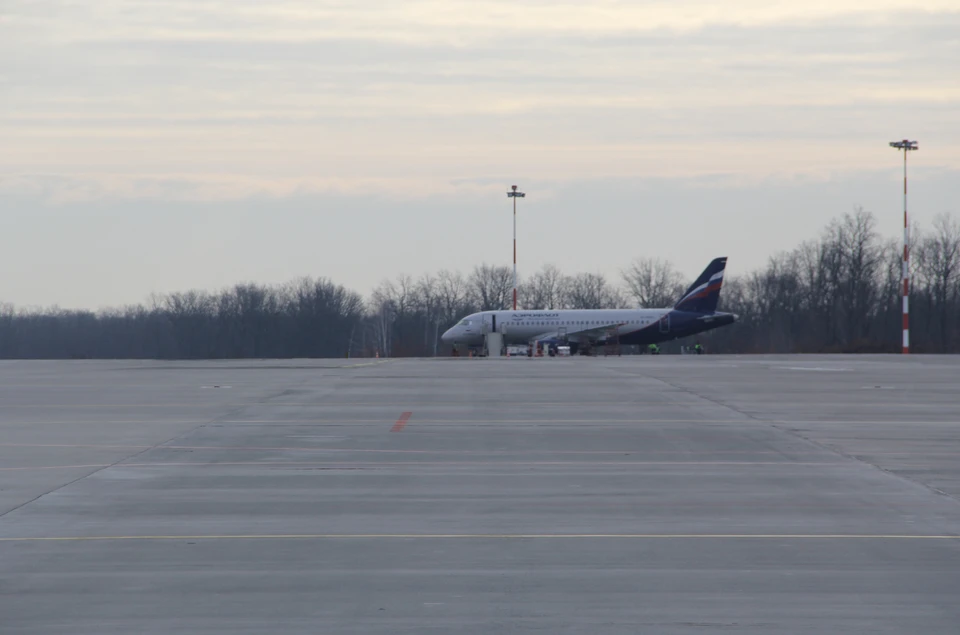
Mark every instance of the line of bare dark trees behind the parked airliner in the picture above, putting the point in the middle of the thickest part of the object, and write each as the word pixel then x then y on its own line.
pixel 840 292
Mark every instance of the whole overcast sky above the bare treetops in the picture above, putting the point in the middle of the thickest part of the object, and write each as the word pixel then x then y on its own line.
pixel 175 144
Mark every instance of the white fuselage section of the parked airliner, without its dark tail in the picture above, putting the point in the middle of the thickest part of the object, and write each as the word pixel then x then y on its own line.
pixel 528 326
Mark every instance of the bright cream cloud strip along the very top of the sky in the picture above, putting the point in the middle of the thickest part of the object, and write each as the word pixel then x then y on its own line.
pixel 439 20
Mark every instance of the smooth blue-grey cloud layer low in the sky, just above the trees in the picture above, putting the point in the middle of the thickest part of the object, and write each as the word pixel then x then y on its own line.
pixel 100 249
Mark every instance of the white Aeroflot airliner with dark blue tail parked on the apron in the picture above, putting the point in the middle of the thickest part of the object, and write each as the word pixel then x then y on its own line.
pixel 584 329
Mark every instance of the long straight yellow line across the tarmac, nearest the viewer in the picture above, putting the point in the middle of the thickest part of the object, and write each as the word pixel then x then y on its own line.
pixel 488 537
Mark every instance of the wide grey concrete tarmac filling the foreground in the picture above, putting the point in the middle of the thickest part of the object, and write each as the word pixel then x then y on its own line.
pixel 605 495
